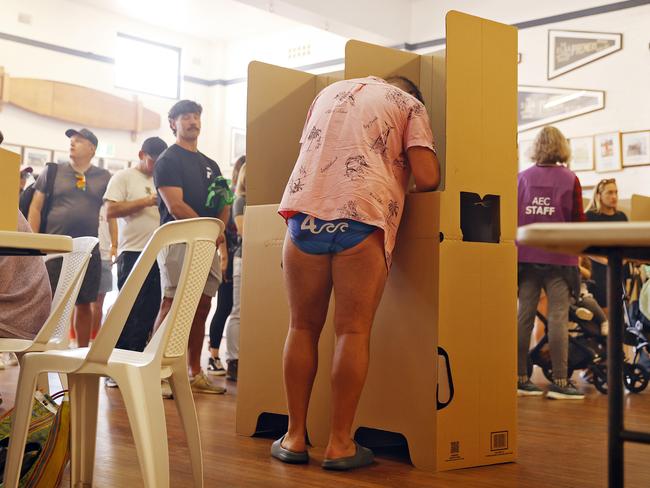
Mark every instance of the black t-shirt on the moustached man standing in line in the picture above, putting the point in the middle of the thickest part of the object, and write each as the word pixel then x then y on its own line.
pixel 191 171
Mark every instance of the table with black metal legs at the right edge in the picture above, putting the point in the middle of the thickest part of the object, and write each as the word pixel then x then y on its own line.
pixel 614 240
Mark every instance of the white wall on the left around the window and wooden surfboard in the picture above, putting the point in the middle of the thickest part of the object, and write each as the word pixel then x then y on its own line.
pixel 85 28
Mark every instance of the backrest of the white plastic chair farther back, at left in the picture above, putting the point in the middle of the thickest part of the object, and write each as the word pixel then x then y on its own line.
pixel 73 270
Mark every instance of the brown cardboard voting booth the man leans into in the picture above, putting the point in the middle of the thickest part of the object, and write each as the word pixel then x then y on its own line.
pixel 443 347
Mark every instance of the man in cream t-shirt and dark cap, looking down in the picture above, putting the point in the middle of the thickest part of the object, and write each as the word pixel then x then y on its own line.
pixel 131 198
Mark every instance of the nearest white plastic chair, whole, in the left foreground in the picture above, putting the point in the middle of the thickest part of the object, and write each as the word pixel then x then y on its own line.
pixel 137 373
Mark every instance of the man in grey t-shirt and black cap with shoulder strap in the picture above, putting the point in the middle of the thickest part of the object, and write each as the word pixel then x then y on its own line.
pixel 77 196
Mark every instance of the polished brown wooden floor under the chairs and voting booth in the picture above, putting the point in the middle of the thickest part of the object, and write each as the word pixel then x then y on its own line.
pixel 561 444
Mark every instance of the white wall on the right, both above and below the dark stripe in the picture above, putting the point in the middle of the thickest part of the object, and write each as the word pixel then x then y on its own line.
pixel 624 76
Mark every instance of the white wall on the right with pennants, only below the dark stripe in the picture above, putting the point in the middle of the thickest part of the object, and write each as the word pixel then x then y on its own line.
pixel 624 76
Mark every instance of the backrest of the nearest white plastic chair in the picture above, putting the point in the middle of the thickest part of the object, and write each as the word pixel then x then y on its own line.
pixel 200 237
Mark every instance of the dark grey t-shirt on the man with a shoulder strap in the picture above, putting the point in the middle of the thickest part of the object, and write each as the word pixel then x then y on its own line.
pixel 75 210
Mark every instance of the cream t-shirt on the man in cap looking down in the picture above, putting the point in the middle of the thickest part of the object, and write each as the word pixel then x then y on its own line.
pixel 134 230
